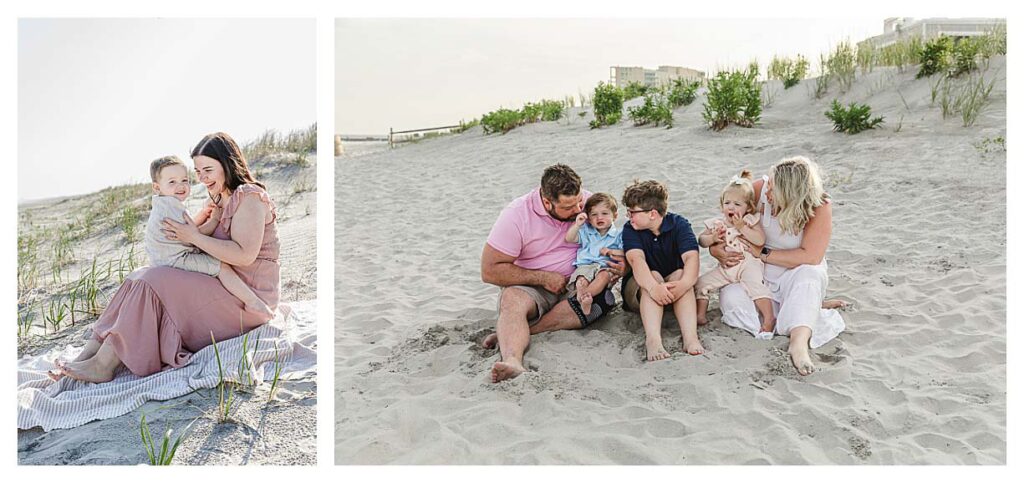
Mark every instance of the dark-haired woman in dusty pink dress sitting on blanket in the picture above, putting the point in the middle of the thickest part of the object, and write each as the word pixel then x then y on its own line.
pixel 161 316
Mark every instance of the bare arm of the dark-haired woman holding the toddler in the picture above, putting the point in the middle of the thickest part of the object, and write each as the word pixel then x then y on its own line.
pixel 247 235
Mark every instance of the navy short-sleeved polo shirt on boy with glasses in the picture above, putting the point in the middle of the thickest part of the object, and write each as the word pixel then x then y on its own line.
pixel 665 252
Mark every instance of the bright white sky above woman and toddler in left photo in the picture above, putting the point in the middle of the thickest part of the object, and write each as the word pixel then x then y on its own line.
pixel 101 99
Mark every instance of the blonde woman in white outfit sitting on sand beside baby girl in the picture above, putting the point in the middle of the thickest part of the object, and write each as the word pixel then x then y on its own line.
pixel 797 222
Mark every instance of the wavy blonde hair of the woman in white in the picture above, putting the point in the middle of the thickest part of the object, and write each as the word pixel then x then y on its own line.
pixel 797 191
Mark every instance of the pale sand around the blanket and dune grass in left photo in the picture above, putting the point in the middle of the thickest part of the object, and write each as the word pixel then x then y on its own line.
pixel 263 432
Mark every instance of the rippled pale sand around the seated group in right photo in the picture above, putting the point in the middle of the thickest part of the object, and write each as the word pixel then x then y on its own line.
pixel 919 248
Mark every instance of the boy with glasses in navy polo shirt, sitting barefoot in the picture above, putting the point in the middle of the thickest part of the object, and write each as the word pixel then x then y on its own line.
pixel 662 252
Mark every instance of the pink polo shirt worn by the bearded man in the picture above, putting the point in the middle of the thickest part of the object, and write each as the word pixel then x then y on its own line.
pixel 527 232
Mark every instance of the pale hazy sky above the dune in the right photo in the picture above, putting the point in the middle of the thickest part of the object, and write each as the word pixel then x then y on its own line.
pixel 419 73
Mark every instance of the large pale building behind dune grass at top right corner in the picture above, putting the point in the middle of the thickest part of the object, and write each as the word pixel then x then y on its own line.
pixel 898 29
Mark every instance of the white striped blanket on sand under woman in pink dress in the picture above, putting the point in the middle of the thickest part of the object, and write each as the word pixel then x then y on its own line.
pixel 69 404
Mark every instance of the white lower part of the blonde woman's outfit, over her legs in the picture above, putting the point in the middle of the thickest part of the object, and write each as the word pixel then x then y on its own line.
pixel 797 296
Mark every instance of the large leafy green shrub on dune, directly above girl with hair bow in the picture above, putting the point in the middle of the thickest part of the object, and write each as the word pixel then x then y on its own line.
pixel 734 98
